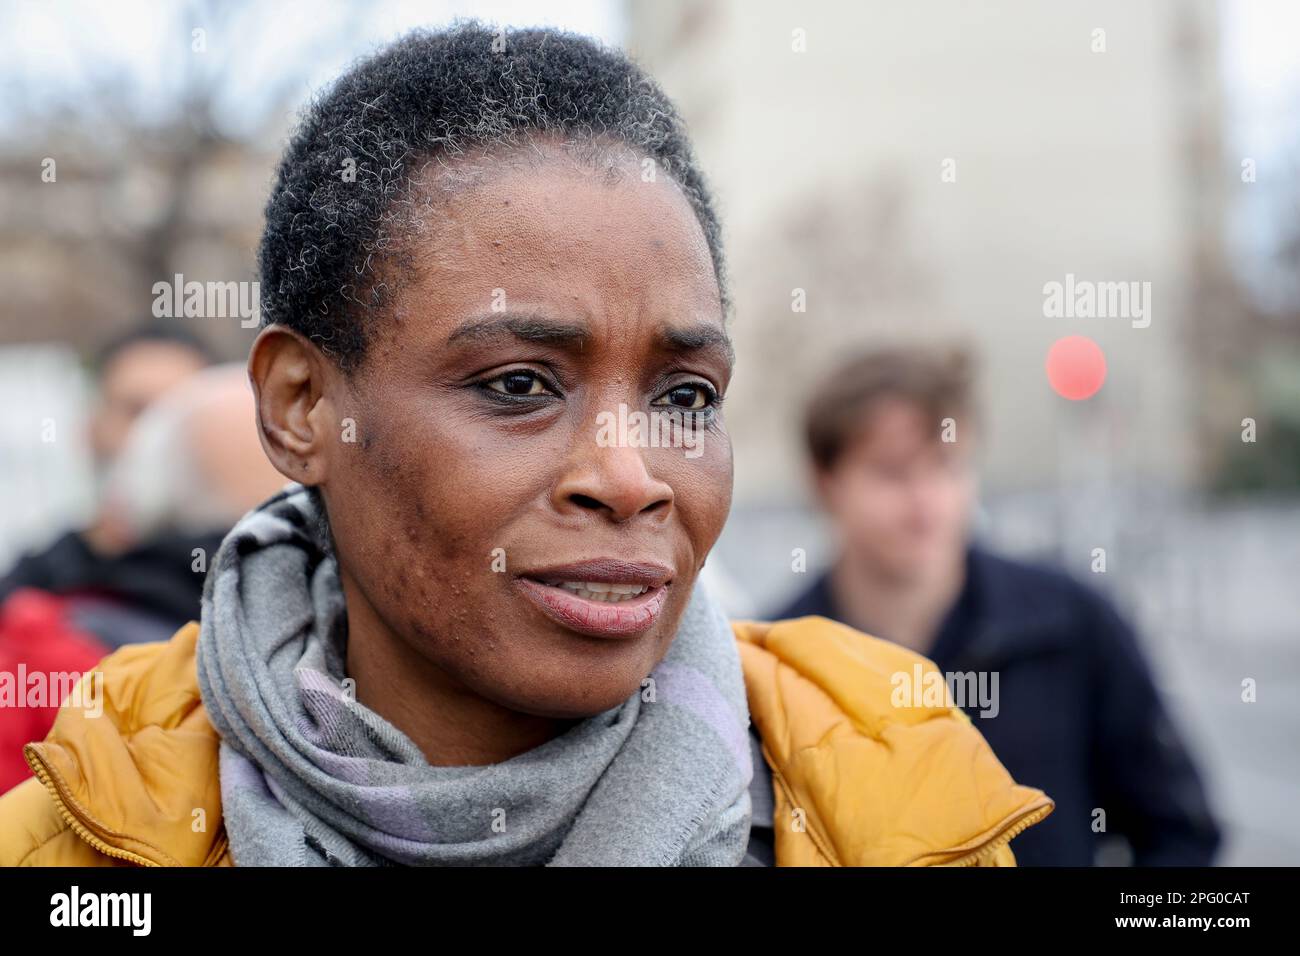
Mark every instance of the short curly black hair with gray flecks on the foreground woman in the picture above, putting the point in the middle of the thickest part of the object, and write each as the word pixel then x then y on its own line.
pixel 435 96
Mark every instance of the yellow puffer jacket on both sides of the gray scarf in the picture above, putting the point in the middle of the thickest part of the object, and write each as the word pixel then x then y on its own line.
pixel 857 781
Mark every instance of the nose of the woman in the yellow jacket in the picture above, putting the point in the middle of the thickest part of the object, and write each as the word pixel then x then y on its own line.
pixel 617 482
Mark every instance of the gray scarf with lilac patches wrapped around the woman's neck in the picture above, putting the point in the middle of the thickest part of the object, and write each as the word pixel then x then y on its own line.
pixel 313 777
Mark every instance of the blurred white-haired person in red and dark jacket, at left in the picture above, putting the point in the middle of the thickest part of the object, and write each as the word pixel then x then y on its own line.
pixel 189 469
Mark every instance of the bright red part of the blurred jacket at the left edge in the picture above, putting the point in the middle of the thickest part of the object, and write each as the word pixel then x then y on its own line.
pixel 37 644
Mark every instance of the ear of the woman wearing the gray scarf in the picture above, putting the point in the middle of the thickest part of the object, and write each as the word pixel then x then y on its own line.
pixel 293 383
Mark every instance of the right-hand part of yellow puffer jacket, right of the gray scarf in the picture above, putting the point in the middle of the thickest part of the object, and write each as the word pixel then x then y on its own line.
pixel 872 780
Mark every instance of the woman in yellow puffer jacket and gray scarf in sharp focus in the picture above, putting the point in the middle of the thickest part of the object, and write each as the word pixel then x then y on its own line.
pixel 471 633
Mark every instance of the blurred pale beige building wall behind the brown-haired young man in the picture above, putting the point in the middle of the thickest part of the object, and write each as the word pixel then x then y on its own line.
pixel 829 166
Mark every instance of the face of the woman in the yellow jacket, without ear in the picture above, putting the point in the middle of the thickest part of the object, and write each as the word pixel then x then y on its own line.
pixel 502 512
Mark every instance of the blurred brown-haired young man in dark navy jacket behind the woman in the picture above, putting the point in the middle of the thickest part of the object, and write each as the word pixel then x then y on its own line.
pixel 1076 710
